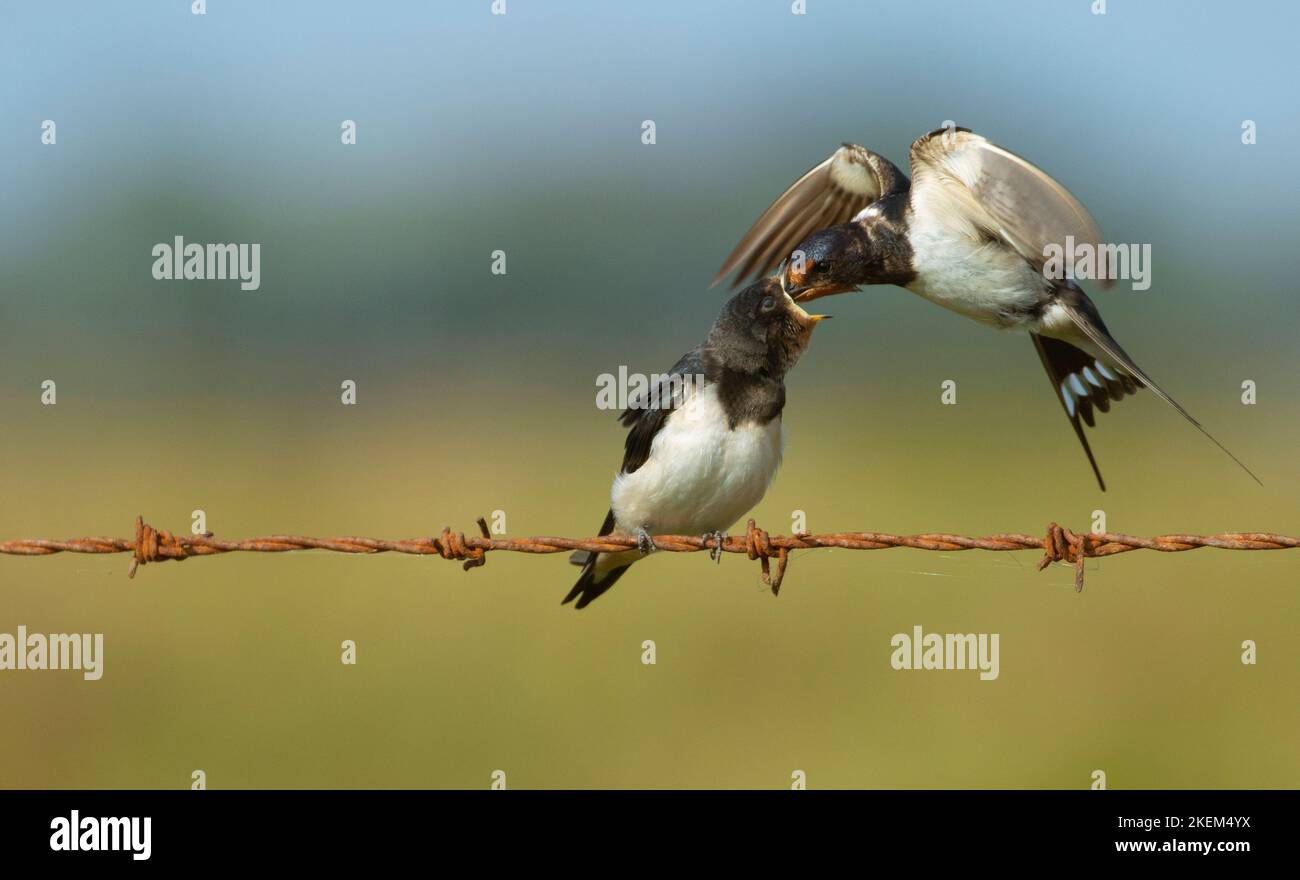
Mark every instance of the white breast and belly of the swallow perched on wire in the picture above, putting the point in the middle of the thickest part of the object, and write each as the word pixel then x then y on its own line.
pixel 701 476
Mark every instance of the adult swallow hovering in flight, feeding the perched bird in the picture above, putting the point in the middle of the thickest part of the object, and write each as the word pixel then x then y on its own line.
pixel 972 233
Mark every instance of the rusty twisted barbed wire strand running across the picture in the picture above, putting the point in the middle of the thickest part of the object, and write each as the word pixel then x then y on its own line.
pixel 1060 544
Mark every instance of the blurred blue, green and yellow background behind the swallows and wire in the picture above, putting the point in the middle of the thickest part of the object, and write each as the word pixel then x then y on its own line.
pixel 476 393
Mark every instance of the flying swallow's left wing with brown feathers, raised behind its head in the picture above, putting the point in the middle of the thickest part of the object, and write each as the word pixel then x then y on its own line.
pixel 831 193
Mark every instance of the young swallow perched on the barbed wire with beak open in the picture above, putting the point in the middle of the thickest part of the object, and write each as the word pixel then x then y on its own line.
pixel 701 453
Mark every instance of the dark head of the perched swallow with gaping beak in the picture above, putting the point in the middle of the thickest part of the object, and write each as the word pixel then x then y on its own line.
pixel 762 328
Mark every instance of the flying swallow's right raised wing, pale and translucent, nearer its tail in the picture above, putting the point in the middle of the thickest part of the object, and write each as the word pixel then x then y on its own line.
pixel 964 181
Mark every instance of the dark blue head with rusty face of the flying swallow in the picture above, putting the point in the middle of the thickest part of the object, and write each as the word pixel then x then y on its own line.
pixel 839 259
